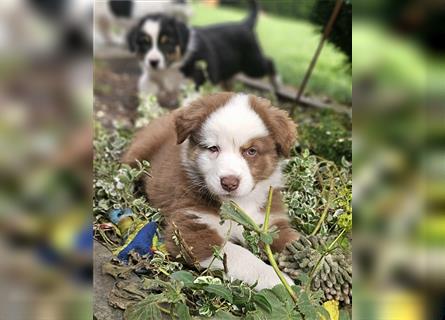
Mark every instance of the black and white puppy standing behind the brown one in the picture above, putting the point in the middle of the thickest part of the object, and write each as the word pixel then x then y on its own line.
pixel 227 49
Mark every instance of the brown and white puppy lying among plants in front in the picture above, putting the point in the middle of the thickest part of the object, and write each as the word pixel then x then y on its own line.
pixel 224 146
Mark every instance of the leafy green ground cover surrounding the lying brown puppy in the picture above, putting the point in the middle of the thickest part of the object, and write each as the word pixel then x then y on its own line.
pixel 318 194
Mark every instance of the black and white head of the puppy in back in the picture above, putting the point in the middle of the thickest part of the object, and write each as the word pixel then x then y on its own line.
pixel 159 41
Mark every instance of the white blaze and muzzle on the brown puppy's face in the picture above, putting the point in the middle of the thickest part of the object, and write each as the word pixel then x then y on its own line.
pixel 229 128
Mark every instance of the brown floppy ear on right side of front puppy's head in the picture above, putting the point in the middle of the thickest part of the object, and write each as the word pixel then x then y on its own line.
pixel 278 122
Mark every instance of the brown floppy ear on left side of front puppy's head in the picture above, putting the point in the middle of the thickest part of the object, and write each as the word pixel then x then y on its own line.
pixel 189 119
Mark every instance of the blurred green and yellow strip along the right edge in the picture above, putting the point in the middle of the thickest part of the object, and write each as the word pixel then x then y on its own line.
pixel 399 159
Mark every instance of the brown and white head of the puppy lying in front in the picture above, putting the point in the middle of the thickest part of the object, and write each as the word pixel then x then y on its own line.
pixel 235 142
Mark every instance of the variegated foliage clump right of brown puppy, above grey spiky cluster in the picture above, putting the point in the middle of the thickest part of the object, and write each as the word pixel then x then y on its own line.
pixel 313 186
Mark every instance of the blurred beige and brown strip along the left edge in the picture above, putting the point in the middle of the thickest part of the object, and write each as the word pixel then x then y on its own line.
pixel 45 159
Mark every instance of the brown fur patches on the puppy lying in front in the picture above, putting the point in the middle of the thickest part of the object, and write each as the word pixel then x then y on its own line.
pixel 170 189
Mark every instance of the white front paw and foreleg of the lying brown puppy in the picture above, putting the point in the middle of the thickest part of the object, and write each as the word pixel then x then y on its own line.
pixel 245 266
